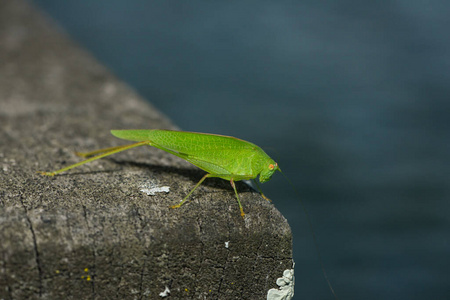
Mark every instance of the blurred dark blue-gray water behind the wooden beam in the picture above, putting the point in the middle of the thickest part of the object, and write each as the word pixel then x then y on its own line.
pixel 352 95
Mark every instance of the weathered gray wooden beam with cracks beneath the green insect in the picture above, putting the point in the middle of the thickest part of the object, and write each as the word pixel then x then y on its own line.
pixel 91 233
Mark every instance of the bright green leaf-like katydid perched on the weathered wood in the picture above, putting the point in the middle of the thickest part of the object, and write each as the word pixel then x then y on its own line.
pixel 220 156
